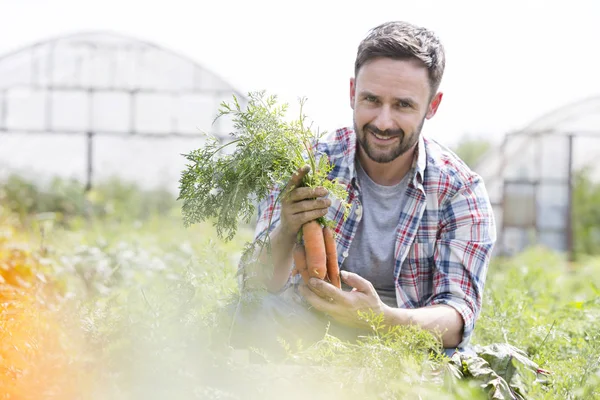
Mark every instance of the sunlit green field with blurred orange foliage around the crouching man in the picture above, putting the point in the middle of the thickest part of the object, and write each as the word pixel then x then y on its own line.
pixel 109 297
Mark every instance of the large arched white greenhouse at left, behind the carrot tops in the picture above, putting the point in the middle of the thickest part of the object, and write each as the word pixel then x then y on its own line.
pixel 92 106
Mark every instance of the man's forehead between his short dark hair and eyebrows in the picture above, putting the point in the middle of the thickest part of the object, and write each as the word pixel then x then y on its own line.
pixel 394 78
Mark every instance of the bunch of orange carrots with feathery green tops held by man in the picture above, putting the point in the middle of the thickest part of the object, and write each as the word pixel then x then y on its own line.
pixel 224 182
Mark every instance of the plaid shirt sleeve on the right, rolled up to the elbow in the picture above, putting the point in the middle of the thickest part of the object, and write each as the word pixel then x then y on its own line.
pixel 463 251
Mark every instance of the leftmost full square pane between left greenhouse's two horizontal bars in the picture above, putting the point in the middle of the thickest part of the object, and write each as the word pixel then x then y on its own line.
pixel 26 109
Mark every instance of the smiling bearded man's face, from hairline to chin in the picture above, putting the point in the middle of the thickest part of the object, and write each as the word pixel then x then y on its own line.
pixel 390 99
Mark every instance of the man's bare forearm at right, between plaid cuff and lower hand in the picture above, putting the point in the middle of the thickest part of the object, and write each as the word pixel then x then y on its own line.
pixel 439 319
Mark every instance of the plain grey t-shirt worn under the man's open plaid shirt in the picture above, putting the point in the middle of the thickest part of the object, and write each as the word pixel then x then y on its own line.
pixel 371 253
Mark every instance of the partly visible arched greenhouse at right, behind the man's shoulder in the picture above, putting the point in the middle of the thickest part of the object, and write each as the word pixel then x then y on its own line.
pixel 530 174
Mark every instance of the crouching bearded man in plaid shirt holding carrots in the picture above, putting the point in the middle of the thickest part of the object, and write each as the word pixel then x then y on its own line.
pixel 418 240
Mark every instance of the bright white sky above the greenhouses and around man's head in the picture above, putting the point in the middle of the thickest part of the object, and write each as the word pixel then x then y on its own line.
pixel 507 61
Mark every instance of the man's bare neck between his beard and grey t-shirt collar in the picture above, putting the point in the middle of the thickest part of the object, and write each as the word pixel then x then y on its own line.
pixel 388 174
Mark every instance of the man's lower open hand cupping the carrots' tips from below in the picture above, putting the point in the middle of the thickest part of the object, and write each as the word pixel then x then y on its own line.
pixel 344 306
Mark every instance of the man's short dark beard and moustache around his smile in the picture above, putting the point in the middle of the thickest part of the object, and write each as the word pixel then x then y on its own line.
pixel 405 142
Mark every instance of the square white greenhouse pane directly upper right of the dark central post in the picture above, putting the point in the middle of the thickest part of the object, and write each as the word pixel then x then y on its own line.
pixel 111 112
